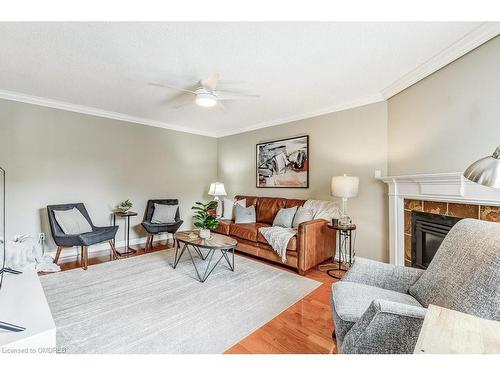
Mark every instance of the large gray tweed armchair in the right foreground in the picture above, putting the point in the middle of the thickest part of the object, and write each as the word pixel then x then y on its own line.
pixel 379 308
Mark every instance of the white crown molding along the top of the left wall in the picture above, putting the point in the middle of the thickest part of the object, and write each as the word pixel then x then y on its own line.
pixel 44 102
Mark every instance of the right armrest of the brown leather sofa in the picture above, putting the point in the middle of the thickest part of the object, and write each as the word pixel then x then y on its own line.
pixel 315 243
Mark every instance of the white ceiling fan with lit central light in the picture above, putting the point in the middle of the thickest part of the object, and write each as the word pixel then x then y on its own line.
pixel 206 93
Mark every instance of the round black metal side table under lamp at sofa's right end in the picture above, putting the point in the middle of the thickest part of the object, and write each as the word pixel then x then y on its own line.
pixel 345 250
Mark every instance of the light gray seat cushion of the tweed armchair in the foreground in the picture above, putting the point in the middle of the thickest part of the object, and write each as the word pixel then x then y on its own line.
pixel 350 300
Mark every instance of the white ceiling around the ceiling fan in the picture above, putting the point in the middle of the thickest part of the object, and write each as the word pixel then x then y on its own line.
pixel 298 69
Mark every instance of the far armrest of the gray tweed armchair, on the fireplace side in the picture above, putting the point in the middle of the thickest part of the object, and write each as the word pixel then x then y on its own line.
pixel 382 275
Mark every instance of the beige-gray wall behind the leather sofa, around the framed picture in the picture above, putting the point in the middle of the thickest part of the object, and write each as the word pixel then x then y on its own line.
pixel 352 142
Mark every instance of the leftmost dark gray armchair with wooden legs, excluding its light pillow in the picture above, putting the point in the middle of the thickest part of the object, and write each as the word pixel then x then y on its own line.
pixel 97 235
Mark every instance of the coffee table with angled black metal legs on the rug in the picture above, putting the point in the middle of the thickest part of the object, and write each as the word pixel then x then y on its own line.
pixel 190 240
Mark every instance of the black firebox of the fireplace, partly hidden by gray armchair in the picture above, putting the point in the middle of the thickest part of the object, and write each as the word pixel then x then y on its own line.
pixel 428 231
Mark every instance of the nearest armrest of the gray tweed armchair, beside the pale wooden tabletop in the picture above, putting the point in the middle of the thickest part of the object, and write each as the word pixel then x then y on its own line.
pixel 385 328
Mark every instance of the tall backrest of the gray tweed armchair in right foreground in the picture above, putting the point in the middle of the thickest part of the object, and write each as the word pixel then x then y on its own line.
pixel 464 275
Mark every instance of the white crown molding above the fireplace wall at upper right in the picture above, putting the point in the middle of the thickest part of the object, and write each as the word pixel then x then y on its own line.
pixel 472 40
